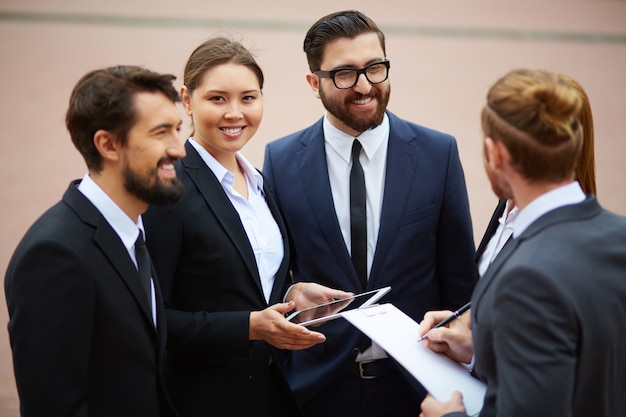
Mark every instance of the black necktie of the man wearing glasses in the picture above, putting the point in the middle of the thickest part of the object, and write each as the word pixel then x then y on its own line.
pixel 358 219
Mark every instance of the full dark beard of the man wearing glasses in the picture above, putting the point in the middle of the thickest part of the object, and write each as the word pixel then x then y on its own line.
pixel 360 123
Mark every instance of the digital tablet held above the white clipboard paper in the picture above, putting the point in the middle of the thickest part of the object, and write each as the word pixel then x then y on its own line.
pixel 331 310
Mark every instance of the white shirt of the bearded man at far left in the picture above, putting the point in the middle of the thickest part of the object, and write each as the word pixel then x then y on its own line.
pixel 123 225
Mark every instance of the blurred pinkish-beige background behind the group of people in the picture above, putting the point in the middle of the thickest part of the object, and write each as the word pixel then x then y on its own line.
pixel 444 55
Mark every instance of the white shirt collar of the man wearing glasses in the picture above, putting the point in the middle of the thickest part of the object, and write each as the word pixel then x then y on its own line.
pixel 341 142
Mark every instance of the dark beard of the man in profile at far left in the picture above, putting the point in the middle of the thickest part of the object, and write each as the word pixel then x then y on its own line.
pixel 151 189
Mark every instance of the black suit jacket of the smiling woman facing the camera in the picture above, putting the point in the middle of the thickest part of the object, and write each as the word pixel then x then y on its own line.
pixel 210 284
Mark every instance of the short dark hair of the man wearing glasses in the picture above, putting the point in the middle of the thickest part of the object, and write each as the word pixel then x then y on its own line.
pixel 344 24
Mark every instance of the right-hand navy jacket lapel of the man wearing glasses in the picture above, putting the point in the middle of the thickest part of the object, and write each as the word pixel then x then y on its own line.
pixel 402 155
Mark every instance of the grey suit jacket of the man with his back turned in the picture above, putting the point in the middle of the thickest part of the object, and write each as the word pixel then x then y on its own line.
pixel 549 318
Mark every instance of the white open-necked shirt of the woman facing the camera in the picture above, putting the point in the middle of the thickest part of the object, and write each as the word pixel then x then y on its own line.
pixel 256 217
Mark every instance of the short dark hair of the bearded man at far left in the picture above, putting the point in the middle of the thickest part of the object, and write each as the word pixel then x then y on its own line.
pixel 103 99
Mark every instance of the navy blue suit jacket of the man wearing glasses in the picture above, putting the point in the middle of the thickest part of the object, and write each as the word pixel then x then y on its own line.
pixel 425 248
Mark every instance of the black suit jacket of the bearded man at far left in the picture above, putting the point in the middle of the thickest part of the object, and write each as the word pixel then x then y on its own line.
pixel 80 326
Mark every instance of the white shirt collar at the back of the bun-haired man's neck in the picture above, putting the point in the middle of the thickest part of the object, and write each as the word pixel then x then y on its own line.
pixel 563 196
